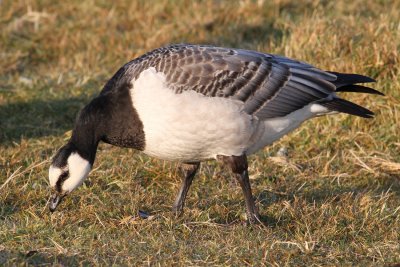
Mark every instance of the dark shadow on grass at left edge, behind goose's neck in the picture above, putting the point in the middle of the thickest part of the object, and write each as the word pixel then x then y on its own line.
pixel 37 118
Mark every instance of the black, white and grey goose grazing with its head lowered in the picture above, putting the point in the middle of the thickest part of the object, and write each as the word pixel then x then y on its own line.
pixel 193 103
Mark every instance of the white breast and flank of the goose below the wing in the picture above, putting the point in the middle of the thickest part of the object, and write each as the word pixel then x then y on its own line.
pixel 189 126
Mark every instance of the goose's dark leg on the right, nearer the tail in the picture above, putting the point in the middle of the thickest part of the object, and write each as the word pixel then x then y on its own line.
pixel 238 165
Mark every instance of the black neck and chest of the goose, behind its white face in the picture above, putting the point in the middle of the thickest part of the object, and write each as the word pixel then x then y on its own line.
pixel 111 118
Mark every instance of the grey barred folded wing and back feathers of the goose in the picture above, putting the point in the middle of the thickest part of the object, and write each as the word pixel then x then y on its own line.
pixel 268 85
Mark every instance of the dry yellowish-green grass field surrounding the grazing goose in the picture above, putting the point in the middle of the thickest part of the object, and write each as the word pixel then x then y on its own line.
pixel 335 200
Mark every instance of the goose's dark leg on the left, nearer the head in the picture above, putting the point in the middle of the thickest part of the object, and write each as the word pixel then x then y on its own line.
pixel 188 171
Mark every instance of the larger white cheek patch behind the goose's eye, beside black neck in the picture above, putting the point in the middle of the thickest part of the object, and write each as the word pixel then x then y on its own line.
pixel 78 168
